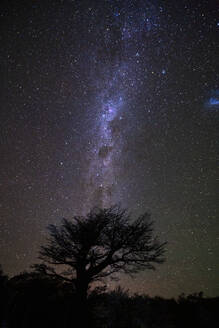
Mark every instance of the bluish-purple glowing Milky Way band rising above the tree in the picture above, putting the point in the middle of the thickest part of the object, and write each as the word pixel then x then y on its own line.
pixel 123 32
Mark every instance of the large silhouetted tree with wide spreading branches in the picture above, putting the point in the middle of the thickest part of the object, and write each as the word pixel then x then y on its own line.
pixel 104 242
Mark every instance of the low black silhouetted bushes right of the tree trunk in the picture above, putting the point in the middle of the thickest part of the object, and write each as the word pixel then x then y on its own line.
pixel 118 309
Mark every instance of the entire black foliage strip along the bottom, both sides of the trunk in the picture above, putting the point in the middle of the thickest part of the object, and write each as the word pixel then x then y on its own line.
pixel 38 301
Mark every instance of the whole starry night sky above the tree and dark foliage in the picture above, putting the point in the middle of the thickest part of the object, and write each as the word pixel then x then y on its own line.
pixel 106 102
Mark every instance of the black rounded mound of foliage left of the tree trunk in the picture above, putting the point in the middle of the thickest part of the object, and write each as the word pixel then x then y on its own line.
pixel 38 301
